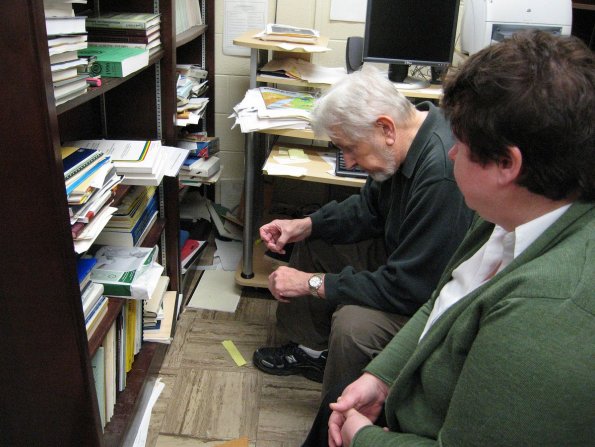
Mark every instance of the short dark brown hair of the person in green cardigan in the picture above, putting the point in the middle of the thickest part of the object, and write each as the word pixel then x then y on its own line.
pixel 537 92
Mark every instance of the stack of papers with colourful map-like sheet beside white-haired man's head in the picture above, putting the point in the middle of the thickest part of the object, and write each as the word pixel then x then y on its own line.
pixel 270 108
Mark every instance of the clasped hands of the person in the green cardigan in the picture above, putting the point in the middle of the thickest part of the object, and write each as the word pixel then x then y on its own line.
pixel 360 404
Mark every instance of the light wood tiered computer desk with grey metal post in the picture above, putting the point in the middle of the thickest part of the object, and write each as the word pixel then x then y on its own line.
pixel 260 52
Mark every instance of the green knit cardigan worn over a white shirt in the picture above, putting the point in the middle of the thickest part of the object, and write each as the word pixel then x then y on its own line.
pixel 512 363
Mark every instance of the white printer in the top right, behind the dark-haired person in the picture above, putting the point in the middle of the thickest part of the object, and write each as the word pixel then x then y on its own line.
pixel 490 21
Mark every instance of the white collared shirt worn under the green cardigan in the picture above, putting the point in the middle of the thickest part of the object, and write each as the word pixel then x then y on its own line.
pixel 499 251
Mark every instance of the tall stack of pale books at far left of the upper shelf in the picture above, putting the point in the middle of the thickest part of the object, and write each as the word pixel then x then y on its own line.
pixel 66 35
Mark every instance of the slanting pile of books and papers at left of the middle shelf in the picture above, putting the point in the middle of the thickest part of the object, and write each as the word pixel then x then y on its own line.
pixel 90 179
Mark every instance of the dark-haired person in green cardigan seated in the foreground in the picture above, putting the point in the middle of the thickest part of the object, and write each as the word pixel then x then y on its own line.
pixel 503 353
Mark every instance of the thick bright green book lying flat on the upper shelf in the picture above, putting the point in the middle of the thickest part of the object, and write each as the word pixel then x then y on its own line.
pixel 115 62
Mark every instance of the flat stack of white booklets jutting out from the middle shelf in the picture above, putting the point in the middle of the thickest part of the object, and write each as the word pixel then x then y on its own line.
pixel 140 162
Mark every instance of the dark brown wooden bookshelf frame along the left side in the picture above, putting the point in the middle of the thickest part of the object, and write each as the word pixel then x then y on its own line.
pixel 47 383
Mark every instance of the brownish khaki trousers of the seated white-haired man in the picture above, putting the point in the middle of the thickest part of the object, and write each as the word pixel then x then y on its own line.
pixel 352 334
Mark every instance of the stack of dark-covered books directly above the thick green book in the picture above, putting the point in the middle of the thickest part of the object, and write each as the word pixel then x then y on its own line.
pixel 125 30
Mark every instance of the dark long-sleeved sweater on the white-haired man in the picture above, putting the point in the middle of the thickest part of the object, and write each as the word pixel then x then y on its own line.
pixel 419 212
